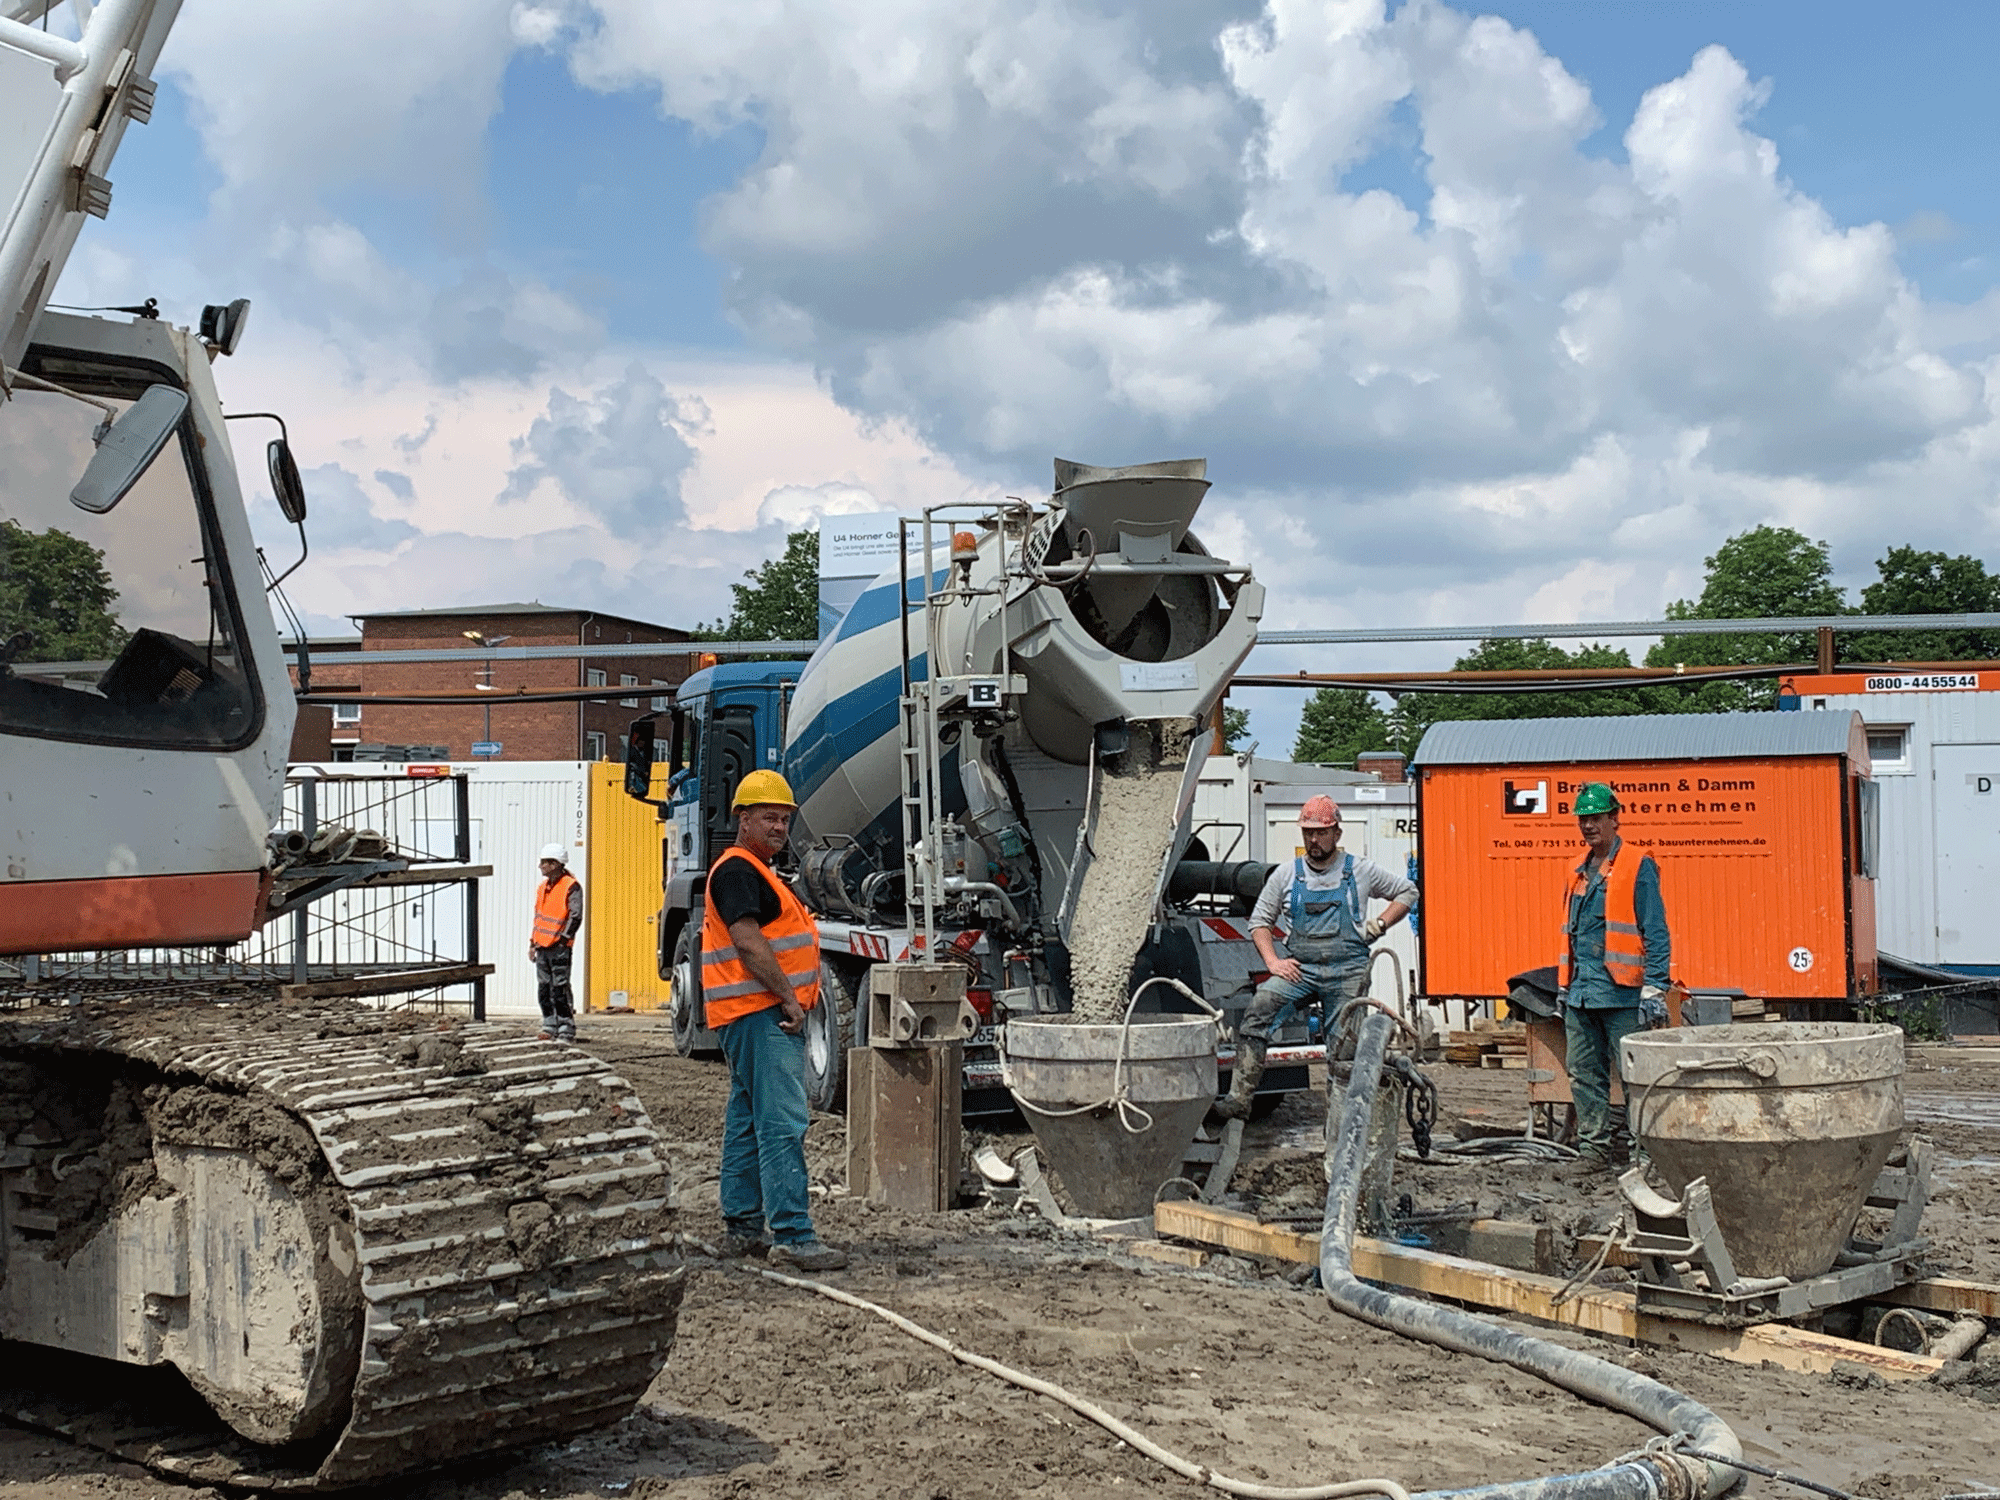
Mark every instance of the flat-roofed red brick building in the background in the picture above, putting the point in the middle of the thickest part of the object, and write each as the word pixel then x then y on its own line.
pixel 573 731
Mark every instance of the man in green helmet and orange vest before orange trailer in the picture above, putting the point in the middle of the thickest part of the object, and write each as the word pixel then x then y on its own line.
pixel 1613 977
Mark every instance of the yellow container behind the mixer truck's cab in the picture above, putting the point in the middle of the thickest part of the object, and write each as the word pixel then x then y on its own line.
pixel 625 893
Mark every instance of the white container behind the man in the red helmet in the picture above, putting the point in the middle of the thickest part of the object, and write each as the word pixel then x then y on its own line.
pixel 1247 809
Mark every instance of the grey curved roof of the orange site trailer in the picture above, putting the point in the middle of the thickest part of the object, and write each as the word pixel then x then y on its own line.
pixel 1641 737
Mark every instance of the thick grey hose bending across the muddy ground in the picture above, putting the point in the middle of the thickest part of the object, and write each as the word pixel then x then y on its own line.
pixel 1643 1477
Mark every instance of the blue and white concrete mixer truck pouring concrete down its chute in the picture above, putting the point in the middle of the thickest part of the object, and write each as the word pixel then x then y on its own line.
pixel 995 759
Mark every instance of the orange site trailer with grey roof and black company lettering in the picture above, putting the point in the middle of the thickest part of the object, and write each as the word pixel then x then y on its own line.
pixel 1763 827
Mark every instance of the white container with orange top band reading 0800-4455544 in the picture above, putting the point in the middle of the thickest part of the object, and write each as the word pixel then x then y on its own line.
pixel 1935 747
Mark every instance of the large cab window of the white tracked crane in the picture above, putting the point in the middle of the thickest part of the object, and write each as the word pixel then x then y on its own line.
pixel 113 629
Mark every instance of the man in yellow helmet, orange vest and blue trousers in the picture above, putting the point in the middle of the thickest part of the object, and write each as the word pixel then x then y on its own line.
pixel 761 975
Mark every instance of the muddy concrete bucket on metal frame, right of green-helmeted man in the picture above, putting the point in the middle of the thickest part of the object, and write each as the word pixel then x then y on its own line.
pixel 1791 1127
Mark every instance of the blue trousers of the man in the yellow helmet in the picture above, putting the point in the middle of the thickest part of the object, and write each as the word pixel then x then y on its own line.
pixel 765 1131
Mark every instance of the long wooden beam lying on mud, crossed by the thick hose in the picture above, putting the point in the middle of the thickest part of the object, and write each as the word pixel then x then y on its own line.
pixel 1523 1295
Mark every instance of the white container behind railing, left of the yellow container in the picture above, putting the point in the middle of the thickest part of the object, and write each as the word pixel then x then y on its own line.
pixel 517 807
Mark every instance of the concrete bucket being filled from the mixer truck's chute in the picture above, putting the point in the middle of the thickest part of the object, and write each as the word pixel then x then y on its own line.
pixel 1069 1083
